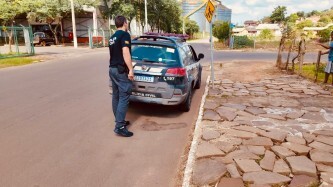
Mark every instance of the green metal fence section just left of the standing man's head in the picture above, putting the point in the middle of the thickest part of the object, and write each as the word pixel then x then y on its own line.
pixel 99 37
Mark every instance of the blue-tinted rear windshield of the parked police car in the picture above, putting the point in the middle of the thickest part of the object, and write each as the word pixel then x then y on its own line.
pixel 155 54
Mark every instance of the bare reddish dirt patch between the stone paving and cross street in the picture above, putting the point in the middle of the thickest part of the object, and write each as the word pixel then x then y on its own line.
pixel 245 71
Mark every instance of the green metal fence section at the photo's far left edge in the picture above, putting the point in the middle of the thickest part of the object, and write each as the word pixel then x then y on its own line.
pixel 16 42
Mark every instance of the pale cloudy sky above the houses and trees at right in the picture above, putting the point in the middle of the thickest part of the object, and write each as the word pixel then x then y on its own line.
pixel 243 10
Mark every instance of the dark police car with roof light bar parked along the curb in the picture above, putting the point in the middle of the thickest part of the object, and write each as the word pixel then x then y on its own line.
pixel 166 70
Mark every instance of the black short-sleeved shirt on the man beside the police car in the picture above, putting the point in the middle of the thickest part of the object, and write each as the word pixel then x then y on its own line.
pixel 117 41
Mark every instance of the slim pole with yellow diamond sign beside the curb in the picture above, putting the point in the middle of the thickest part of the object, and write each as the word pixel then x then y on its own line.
pixel 209 13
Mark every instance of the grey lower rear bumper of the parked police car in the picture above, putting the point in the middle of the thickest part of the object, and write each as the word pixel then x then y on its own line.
pixel 175 100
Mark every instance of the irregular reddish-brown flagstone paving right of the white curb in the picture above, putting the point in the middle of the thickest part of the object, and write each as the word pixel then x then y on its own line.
pixel 274 132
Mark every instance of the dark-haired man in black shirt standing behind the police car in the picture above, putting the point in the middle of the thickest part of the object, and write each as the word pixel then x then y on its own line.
pixel 121 74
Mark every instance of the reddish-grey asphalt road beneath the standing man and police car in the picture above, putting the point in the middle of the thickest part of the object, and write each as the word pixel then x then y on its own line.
pixel 56 128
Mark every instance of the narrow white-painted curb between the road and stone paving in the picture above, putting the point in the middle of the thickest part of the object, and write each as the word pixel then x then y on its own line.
pixel 195 140
